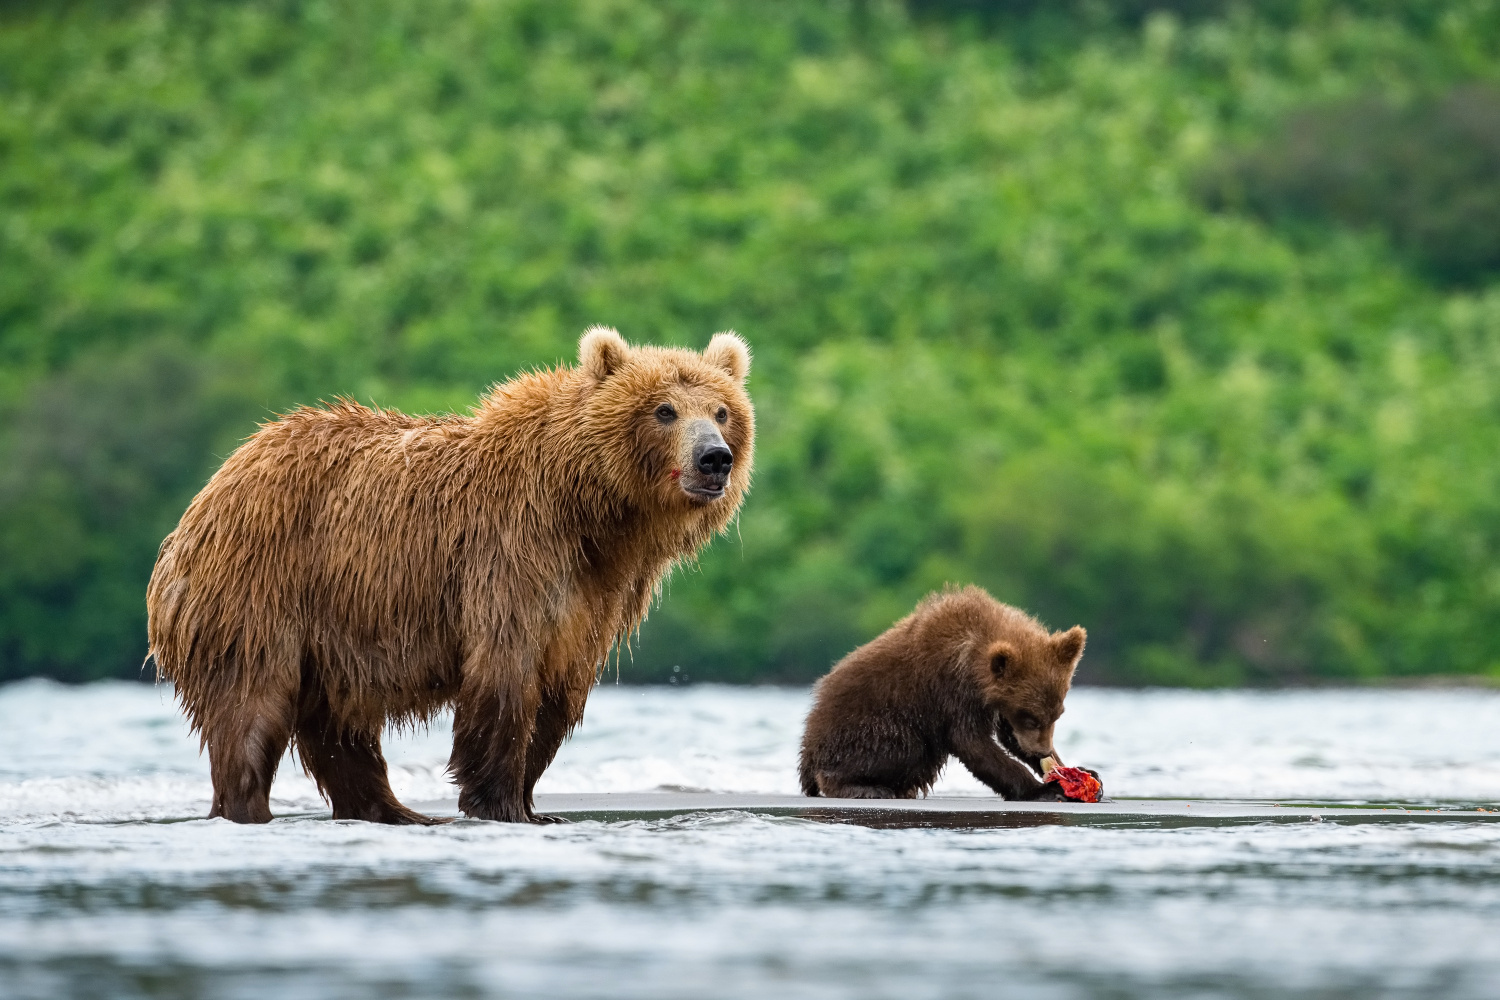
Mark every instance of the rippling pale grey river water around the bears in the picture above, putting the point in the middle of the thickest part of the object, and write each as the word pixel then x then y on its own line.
pixel 112 887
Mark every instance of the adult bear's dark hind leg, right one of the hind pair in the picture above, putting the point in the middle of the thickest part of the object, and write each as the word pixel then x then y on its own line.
pixel 350 768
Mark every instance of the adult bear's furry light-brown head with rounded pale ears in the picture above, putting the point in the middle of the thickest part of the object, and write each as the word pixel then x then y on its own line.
pixel 674 428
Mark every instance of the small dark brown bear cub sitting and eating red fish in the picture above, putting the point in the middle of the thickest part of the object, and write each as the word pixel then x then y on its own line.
pixel 961 675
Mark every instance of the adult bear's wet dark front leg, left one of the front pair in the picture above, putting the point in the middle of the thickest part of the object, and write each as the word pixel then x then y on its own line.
pixel 493 722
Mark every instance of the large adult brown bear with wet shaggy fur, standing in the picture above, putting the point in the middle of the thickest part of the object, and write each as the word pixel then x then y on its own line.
pixel 352 567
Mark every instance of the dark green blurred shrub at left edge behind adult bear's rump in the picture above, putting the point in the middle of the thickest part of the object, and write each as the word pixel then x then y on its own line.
pixel 97 464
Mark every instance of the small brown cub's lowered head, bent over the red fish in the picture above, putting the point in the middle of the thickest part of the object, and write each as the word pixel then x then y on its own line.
pixel 1027 677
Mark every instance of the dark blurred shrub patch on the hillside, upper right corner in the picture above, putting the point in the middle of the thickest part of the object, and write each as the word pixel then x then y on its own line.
pixel 1426 175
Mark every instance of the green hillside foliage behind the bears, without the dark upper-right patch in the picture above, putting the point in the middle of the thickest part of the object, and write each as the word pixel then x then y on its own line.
pixel 998 334
